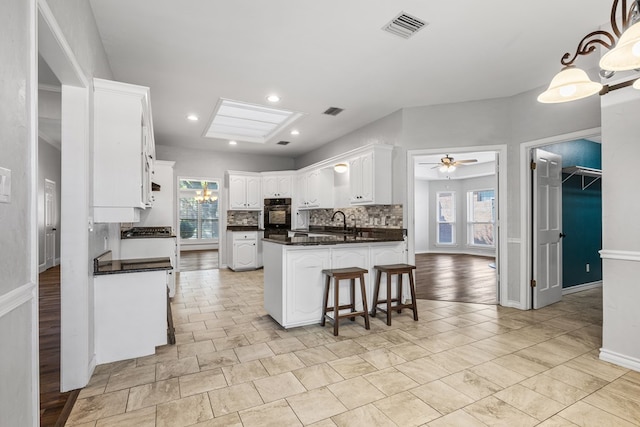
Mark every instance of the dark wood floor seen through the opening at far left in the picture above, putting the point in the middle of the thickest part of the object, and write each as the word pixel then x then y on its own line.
pixel 54 405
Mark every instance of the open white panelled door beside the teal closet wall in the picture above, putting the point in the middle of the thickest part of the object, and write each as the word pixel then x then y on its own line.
pixel 547 228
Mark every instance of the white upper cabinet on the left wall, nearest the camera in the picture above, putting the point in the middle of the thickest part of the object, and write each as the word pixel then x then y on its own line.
pixel 124 151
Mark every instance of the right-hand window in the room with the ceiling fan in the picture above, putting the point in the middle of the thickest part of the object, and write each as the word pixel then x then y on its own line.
pixel 481 217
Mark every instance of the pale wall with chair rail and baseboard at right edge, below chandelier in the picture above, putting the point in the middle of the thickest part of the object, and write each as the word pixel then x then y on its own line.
pixel 620 228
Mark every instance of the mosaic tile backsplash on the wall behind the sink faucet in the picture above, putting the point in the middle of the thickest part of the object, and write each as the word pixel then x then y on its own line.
pixel 381 216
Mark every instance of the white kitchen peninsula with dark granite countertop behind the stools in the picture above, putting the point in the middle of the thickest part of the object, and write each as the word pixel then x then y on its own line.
pixel 293 279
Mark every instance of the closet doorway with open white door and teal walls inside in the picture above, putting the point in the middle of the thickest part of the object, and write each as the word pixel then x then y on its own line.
pixel 566 238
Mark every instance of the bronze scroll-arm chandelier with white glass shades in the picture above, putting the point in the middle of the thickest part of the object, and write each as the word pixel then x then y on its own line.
pixel 572 83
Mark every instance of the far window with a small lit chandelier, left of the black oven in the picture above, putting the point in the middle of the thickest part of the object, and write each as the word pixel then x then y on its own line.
pixel 199 215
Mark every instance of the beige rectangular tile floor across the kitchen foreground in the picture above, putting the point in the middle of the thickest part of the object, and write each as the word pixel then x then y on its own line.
pixel 459 365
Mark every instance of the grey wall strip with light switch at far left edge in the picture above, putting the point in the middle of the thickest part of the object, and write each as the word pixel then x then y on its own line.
pixel 18 256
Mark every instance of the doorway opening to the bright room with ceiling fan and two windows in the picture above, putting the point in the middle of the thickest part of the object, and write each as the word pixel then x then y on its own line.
pixel 454 222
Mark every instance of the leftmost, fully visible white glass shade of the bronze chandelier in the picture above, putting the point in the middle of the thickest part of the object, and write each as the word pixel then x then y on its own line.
pixel 568 85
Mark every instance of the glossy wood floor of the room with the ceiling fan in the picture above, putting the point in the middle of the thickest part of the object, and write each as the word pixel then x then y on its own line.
pixel 456 277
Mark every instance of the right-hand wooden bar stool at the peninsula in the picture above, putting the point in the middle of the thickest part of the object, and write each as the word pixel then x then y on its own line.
pixel 390 270
